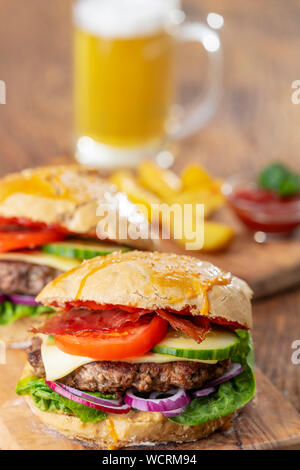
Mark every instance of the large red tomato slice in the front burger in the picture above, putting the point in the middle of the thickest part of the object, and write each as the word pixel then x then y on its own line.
pixel 115 345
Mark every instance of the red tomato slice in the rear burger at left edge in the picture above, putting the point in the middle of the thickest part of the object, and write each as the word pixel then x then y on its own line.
pixel 16 240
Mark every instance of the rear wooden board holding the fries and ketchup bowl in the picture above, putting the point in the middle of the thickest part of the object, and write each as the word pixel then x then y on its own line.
pixel 268 268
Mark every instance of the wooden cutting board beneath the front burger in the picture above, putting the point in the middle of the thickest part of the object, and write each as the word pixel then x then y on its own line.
pixel 268 422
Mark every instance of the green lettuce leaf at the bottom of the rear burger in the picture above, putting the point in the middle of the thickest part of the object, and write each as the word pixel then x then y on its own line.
pixel 10 312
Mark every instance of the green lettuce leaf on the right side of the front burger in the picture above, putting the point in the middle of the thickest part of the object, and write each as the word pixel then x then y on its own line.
pixel 230 395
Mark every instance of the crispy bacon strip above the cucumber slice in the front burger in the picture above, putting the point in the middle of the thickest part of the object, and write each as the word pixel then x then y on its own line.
pixel 190 326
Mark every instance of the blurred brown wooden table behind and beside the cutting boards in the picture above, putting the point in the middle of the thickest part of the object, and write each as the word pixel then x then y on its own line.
pixel 256 122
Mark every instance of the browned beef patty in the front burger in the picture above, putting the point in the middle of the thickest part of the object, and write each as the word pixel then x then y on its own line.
pixel 106 376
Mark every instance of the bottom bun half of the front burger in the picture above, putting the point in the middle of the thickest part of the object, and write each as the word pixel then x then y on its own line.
pixel 134 428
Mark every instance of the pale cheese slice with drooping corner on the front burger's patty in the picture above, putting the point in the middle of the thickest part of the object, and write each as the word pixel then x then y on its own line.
pixel 58 364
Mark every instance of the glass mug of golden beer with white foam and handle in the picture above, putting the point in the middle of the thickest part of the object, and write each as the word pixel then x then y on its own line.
pixel 124 80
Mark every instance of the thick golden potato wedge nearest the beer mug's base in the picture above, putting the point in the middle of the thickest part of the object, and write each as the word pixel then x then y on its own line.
pixel 163 183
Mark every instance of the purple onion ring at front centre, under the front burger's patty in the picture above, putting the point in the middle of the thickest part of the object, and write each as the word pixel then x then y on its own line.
pixel 178 399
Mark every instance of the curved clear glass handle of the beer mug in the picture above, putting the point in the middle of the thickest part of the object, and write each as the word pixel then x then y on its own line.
pixel 205 108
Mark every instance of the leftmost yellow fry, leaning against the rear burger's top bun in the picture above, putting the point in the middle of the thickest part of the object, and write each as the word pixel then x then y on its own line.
pixel 128 184
